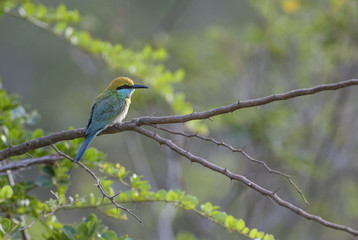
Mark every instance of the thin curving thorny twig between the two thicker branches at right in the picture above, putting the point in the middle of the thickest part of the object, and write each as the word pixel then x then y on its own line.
pixel 231 148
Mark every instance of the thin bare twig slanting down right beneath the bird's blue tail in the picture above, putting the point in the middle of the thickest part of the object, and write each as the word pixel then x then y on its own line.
pixel 99 185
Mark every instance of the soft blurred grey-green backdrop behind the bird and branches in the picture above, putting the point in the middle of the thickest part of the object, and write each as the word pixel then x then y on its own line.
pixel 229 50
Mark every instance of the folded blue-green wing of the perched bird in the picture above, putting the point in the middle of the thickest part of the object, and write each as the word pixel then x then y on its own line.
pixel 103 112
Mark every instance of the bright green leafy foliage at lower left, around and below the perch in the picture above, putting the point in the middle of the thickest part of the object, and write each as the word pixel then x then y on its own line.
pixel 17 202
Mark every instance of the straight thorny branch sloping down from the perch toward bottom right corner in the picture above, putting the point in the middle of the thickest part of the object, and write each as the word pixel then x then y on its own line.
pixel 268 193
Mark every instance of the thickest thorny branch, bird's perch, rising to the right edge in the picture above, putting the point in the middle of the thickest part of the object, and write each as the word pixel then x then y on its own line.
pixel 129 125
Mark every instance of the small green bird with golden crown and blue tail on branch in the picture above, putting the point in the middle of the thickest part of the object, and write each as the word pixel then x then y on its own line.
pixel 109 107
